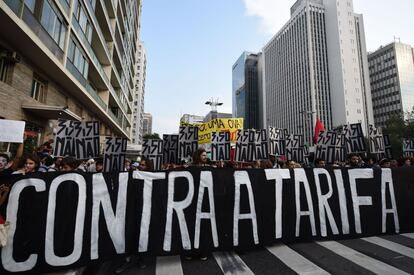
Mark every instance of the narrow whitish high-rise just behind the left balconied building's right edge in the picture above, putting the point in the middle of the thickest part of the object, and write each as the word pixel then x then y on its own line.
pixel 139 95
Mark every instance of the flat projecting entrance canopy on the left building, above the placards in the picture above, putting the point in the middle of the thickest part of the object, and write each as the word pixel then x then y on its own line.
pixel 51 112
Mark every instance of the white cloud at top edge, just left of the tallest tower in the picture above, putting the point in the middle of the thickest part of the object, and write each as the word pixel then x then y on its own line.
pixel 273 14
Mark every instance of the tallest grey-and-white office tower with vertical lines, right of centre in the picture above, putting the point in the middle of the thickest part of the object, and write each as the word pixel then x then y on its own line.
pixel 316 67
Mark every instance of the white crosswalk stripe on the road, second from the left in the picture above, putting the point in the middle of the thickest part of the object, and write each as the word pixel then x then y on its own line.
pixel 231 263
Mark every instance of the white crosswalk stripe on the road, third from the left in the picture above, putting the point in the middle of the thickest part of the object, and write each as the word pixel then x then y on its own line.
pixel 294 260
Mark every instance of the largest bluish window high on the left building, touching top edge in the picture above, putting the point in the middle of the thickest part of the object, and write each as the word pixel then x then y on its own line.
pixel 53 23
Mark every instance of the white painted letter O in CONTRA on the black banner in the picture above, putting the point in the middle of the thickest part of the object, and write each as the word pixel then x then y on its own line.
pixel 50 256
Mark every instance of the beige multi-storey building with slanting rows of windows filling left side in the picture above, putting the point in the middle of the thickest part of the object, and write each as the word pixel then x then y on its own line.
pixel 68 59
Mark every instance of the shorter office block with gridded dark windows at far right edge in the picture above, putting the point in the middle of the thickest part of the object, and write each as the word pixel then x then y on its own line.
pixel 392 81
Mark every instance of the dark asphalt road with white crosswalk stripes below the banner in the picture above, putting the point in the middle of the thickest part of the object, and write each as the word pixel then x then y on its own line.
pixel 374 255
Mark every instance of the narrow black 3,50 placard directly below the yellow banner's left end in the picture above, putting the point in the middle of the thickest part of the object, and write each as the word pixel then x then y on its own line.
pixel 187 142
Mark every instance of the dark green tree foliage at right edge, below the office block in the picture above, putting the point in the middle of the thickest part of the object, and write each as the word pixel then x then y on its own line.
pixel 398 127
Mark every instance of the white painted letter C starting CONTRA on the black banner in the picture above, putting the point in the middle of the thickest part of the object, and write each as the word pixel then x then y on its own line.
pixel 13 206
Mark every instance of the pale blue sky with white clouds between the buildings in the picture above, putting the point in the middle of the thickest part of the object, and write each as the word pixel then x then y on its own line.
pixel 191 46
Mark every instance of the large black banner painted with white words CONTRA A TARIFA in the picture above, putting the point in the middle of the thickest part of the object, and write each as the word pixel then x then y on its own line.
pixel 66 220
